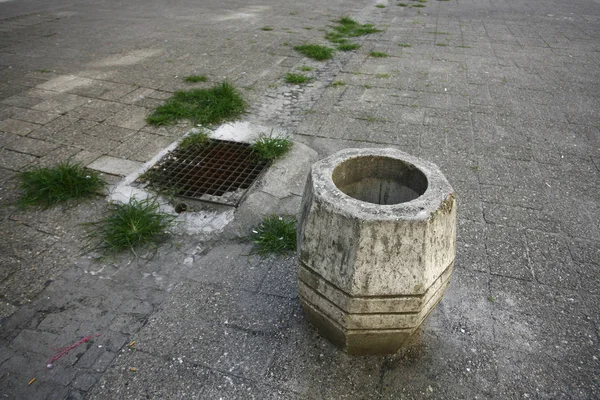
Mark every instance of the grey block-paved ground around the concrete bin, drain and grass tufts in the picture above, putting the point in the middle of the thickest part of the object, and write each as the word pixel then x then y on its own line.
pixel 502 96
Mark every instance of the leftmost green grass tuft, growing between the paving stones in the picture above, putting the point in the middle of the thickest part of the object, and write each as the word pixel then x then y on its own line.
pixel 45 187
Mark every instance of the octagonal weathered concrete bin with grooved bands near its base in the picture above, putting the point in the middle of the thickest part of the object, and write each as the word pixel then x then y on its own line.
pixel 376 243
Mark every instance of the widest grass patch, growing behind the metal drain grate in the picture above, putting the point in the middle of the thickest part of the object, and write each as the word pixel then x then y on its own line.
pixel 202 106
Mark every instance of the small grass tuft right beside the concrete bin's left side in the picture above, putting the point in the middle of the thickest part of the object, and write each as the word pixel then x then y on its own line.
pixel 276 234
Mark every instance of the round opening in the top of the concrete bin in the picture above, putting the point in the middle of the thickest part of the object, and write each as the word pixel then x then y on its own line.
pixel 379 180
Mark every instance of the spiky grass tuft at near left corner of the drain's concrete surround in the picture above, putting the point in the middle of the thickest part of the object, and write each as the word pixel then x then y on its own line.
pixel 129 226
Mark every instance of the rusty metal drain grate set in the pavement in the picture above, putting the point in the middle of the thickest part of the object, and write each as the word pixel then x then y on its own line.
pixel 221 172
